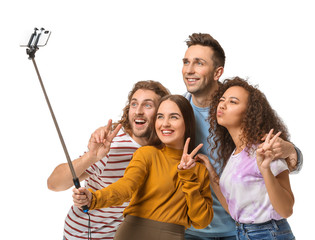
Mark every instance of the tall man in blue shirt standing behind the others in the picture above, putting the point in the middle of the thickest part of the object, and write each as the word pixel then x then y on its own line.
pixel 203 65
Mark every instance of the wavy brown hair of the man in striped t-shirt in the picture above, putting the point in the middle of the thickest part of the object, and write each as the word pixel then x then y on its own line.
pixel 154 86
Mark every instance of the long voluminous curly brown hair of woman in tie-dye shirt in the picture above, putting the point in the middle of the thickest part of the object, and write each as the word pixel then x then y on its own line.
pixel 258 120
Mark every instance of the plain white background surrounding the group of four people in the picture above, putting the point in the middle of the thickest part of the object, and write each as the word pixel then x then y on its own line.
pixel 99 49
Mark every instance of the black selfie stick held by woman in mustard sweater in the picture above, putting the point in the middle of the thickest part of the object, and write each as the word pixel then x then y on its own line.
pixel 32 48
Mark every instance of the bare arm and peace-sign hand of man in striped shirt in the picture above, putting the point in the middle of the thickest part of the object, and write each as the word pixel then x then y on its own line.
pixel 99 146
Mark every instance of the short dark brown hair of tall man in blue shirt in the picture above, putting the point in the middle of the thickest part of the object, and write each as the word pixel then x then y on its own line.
pixel 205 39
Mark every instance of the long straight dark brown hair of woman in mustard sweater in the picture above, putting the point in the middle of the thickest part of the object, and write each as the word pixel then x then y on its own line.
pixel 189 120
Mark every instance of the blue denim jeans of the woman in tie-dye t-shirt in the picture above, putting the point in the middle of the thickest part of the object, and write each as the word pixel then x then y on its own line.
pixel 264 231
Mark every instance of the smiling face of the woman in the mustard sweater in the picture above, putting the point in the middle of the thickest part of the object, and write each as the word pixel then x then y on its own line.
pixel 170 125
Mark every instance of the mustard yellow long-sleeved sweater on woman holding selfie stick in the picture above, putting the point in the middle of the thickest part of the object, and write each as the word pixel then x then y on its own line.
pixel 159 191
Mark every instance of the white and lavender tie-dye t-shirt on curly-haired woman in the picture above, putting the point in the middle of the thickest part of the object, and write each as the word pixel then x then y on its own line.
pixel 244 188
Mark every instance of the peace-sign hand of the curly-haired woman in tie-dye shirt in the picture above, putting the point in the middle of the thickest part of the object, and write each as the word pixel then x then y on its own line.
pixel 265 153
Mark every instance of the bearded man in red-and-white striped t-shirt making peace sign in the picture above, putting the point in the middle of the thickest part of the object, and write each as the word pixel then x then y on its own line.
pixel 130 133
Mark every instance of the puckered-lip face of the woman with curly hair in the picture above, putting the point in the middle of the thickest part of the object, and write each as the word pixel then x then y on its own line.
pixel 232 107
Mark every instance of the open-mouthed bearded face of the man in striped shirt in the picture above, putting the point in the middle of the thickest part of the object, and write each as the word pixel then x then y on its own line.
pixel 141 113
